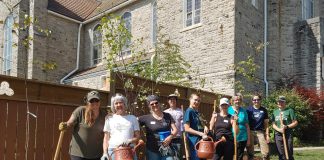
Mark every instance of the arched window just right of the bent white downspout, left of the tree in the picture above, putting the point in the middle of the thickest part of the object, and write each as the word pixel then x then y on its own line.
pixel 94 44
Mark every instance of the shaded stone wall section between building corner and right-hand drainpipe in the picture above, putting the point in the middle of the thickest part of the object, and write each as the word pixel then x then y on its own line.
pixel 249 33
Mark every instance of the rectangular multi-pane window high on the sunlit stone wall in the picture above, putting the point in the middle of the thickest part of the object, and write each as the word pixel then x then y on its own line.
pixel 192 9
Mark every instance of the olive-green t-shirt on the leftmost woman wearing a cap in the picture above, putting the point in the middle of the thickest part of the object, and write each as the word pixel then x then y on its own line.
pixel 87 140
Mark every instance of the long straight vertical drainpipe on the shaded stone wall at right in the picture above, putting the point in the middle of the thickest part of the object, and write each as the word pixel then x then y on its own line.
pixel 265 48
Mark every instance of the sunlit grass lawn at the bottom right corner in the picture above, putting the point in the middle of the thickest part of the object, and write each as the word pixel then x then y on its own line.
pixel 316 154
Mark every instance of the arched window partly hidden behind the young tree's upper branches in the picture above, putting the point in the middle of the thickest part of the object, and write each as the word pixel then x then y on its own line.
pixel 127 17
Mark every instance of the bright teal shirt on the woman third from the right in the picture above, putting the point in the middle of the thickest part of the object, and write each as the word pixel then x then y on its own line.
pixel 242 120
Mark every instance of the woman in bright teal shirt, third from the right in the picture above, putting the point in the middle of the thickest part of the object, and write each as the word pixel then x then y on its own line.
pixel 243 137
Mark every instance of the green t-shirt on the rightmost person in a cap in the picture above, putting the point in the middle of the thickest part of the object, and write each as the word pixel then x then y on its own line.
pixel 287 117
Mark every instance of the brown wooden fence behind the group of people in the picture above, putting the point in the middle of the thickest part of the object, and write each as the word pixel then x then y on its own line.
pixel 52 104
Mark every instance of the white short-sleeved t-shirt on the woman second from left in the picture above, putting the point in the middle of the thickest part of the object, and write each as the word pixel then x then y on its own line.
pixel 120 128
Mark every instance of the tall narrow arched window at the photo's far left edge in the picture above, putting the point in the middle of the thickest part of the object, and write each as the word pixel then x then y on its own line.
pixel 7 49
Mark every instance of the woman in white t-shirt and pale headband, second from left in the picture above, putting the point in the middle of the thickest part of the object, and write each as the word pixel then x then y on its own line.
pixel 120 128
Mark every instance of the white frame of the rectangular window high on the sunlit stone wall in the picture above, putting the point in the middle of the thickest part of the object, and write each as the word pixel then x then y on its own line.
pixel 193 13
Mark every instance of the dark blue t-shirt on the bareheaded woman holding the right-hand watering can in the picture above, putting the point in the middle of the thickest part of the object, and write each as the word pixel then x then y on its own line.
pixel 192 118
